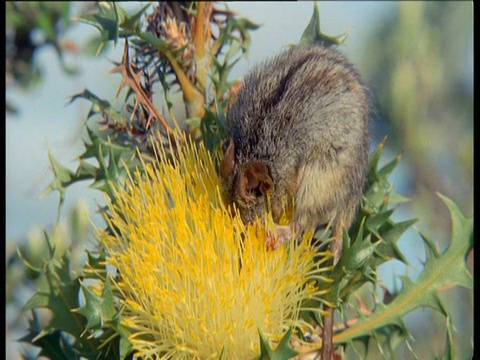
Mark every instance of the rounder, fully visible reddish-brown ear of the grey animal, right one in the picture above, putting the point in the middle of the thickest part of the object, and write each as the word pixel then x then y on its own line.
pixel 255 179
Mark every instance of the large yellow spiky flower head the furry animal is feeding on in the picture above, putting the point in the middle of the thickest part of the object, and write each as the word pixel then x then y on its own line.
pixel 194 281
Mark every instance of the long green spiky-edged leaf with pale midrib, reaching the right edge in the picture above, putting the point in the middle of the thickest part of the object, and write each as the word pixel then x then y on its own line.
pixel 440 271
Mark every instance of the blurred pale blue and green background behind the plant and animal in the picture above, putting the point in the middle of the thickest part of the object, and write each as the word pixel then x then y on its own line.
pixel 416 58
